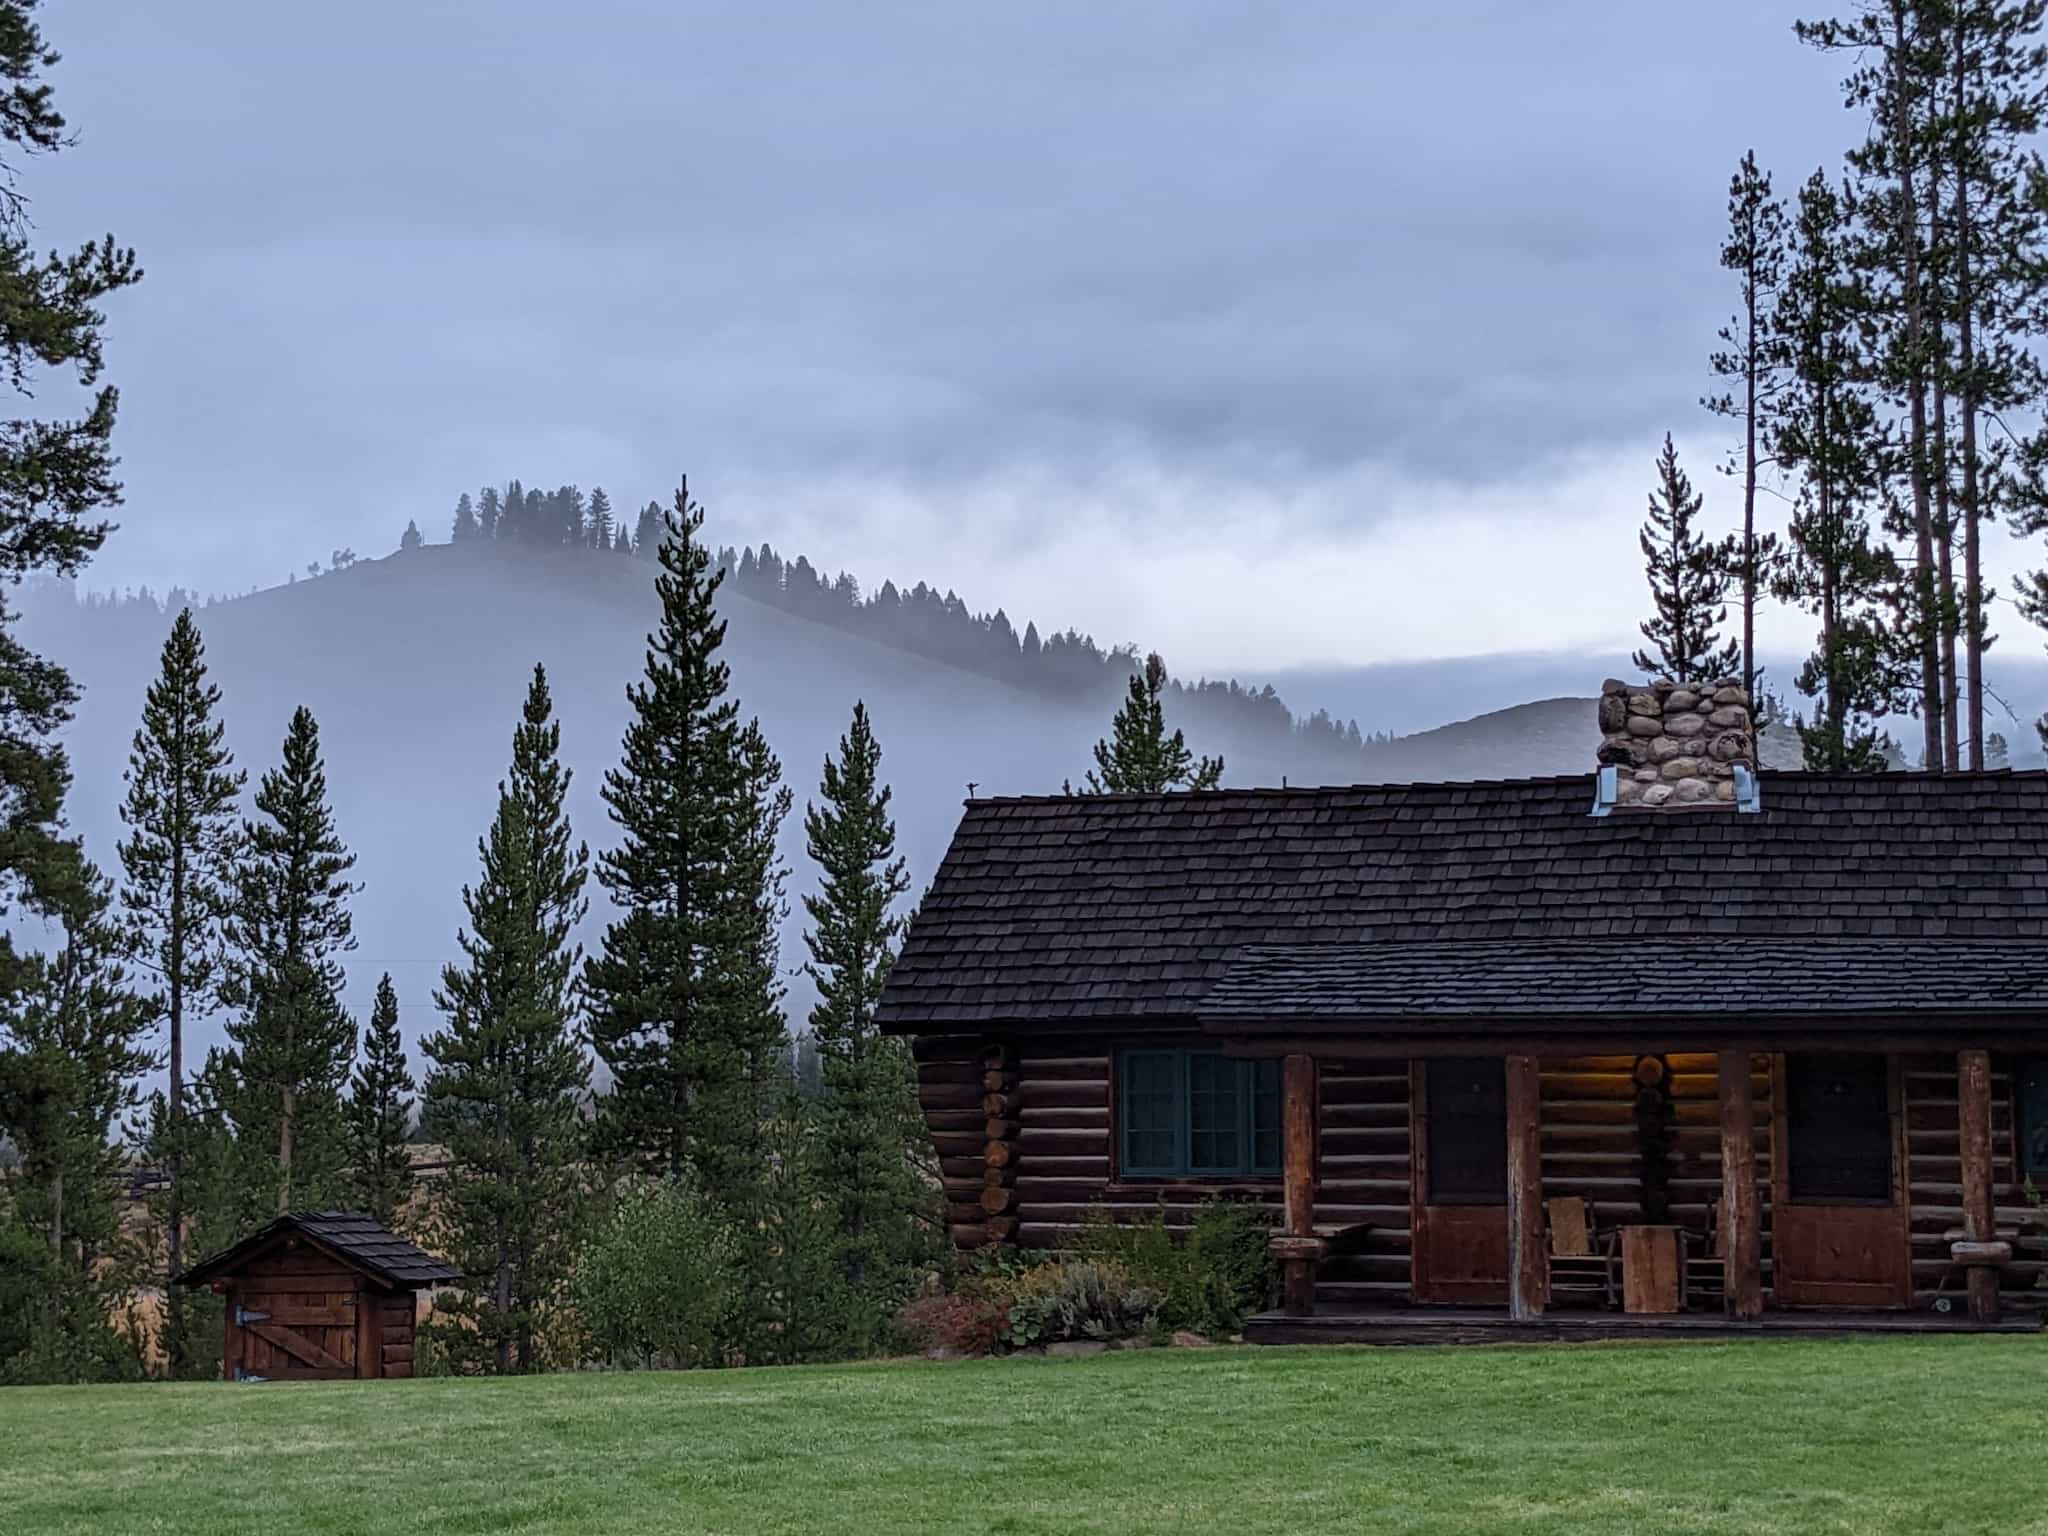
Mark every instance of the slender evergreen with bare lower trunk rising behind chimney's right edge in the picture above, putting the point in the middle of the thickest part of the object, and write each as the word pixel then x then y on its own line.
pixel 1752 357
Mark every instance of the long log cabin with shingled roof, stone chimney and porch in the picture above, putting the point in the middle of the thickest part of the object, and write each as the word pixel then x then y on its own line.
pixel 1668 1046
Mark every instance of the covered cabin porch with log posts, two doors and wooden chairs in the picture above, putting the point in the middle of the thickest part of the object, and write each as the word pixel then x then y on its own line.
pixel 1801 1189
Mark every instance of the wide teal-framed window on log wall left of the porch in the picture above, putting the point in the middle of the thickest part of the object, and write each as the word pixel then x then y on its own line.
pixel 1185 1113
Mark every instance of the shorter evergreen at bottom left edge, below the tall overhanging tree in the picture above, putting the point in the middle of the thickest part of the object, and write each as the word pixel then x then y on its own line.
pixel 71 1054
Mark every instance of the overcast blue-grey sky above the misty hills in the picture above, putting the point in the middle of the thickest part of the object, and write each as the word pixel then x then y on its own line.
pixel 1258 333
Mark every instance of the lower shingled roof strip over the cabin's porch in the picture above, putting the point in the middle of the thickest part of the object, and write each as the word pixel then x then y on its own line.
pixel 1680 988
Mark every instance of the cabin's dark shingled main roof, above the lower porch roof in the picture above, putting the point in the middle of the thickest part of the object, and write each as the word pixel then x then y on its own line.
pixel 1097 908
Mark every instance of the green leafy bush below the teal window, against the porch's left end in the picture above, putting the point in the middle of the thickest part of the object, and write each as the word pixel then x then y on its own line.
pixel 1207 1279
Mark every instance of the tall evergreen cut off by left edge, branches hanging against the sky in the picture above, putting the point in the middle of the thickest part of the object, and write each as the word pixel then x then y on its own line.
pixel 56 478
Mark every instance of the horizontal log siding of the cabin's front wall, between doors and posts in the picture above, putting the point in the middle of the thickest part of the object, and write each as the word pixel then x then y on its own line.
pixel 1064 1123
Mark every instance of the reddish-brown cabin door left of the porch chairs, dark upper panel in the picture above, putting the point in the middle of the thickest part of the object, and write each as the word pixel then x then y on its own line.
pixel 1459 1179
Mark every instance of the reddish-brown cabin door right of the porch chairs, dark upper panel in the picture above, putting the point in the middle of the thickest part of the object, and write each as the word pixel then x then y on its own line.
pixel 1840 1224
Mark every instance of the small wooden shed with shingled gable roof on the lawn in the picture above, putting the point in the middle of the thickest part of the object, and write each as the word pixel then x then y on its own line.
pixel 321 1295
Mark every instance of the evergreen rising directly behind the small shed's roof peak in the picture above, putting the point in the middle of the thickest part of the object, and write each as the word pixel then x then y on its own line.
pixel 292 1039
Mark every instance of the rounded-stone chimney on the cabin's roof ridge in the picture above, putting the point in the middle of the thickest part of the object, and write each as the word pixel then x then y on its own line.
pixel 1676 744
